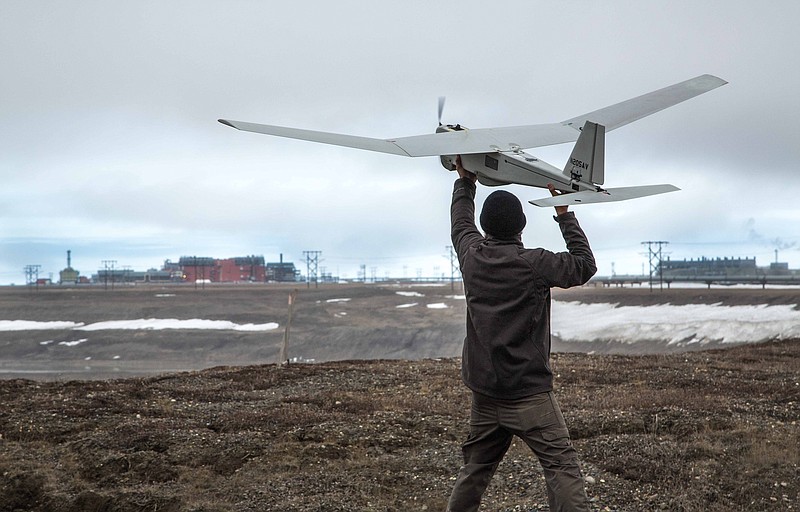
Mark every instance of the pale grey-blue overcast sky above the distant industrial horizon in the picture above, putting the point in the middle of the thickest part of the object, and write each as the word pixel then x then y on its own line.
pixel 109 144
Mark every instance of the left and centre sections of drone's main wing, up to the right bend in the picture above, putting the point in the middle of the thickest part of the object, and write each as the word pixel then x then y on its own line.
pixel 463 142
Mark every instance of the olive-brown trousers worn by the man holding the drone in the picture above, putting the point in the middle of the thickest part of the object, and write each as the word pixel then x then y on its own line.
pixel 538 421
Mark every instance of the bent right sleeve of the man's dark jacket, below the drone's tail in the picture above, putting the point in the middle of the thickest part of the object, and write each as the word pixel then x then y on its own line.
pixel 575 266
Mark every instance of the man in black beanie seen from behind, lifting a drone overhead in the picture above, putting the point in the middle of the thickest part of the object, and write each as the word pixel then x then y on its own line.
pixel 506 355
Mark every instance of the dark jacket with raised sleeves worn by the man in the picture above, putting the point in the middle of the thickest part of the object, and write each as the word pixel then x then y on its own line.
pixel 506 353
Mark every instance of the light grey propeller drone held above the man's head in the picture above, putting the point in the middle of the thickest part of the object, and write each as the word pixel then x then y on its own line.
pixel 496 156
